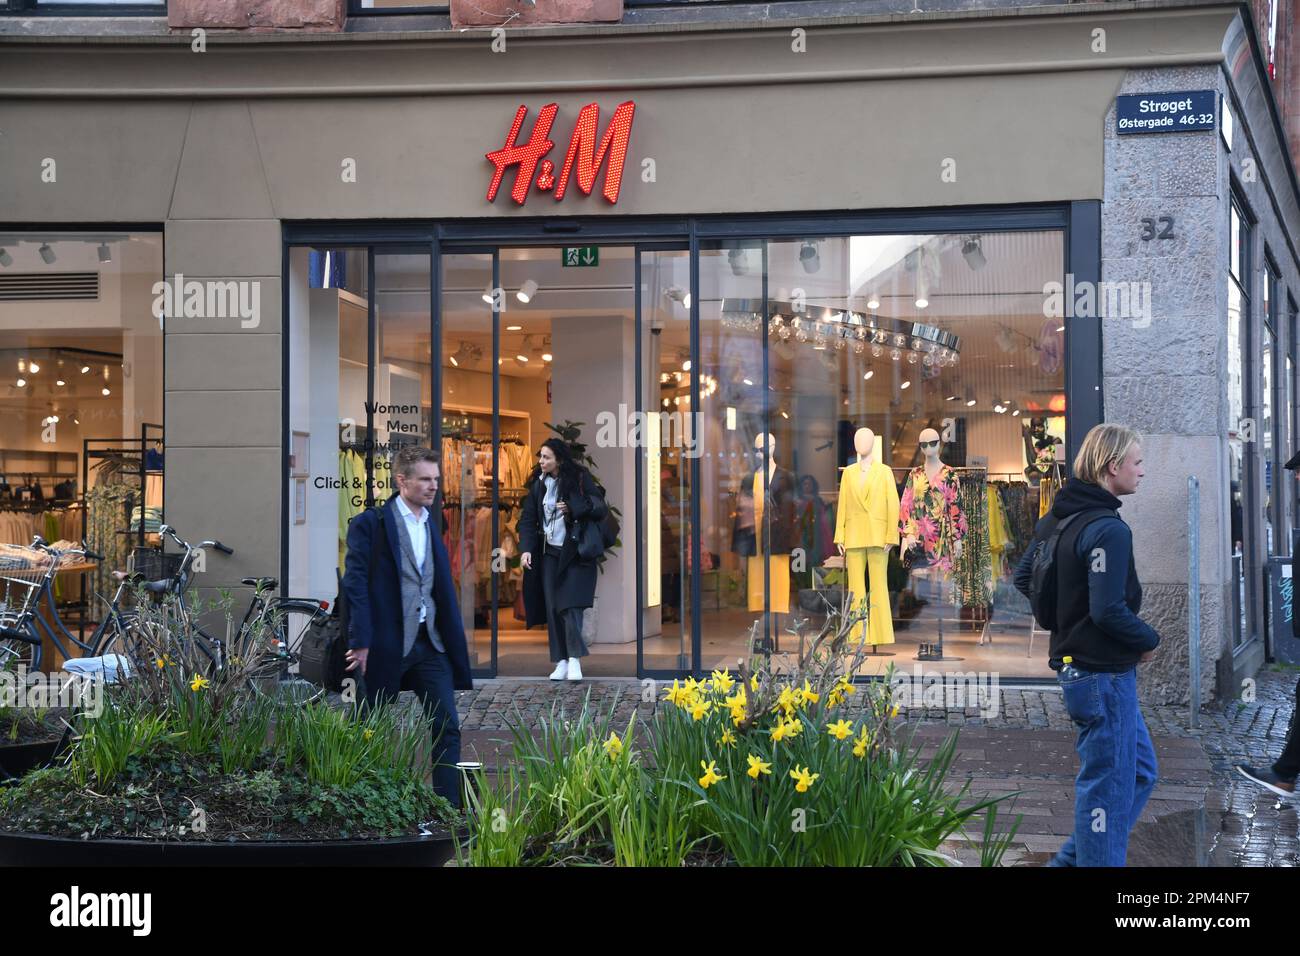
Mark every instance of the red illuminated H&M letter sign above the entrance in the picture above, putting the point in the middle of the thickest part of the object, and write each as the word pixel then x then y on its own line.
pixel 584 154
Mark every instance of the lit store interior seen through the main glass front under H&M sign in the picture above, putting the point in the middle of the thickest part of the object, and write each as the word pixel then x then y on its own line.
pixel 980 364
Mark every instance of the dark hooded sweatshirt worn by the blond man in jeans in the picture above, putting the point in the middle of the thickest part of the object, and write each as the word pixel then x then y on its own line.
pixel 1098 591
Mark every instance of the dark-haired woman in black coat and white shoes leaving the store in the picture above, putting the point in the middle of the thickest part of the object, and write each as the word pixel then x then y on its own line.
pixel 558 586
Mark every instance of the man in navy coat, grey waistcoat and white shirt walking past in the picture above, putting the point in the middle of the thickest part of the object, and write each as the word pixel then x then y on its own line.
pixel 406 629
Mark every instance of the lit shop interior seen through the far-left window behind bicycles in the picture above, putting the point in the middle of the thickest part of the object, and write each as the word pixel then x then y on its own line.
pixel 81 406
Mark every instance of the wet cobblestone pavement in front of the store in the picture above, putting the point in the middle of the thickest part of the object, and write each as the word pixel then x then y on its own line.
pixel 1202 814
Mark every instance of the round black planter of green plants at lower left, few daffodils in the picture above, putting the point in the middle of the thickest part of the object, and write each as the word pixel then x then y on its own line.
pixel 185 764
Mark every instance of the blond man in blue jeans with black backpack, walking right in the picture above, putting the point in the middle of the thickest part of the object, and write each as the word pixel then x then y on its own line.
pixel 1082 581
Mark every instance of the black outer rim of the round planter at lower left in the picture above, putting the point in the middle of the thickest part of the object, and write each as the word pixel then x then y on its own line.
pixel 40 850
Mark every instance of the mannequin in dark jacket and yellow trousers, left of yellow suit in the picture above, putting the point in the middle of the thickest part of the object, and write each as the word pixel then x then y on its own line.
pixel 766 526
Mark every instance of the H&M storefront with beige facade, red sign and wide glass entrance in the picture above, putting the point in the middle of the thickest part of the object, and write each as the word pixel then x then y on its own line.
pixel 878 235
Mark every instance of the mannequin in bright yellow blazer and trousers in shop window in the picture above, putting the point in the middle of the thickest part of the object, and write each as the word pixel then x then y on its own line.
pixel 866 525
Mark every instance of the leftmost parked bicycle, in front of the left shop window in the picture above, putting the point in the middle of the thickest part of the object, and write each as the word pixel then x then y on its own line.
pixel 23 628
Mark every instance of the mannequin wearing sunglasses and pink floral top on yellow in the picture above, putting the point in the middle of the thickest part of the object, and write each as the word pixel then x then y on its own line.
pixel 930 518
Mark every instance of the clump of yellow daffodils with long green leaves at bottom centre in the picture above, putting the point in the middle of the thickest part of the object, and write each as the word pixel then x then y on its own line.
pixel 721 771
